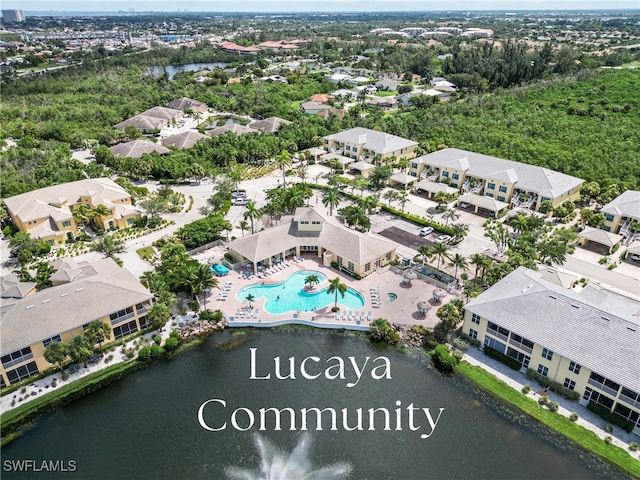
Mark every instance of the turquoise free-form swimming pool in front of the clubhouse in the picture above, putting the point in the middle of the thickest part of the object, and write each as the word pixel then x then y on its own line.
pixel 290 295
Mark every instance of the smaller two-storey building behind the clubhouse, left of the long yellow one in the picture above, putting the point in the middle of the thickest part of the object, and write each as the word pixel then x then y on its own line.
pixel 369 145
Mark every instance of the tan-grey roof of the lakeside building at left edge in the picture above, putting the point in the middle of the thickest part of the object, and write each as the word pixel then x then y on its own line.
pixel 58 309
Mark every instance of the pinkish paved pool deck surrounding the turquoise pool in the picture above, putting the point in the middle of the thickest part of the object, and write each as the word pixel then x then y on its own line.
pixel 402 311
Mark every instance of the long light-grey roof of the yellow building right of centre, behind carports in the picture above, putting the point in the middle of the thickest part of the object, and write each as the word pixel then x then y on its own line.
pixel 544 182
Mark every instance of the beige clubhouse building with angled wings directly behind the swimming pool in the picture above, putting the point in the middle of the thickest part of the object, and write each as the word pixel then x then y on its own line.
pixel 308 231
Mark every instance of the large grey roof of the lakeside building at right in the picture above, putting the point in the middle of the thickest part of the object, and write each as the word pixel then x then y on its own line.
pixel 593 328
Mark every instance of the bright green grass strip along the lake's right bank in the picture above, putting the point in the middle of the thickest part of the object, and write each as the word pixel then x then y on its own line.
pixel 559 423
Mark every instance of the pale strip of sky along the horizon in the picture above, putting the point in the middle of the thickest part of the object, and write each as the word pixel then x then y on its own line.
pixel 312 6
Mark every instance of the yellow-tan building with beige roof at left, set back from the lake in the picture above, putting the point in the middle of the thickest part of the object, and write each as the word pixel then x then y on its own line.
pixel 47 213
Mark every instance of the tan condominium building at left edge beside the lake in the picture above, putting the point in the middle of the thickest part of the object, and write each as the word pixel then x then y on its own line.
pixel 84 292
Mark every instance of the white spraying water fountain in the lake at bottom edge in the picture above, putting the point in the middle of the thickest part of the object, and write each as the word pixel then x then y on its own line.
pixel 276 464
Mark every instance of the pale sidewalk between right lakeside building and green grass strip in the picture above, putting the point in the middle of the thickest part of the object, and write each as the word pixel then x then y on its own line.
pixel 517 380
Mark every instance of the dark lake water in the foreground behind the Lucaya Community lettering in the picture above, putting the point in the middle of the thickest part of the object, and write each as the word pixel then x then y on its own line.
pixel 146 425
